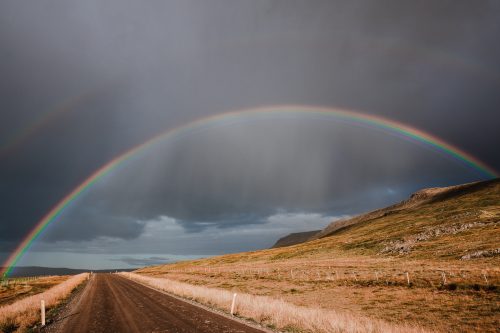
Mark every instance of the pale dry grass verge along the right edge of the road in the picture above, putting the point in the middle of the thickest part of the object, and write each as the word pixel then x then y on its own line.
pixel 273 312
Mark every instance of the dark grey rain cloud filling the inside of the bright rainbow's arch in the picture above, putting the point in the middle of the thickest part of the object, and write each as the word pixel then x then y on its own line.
pixel 240 174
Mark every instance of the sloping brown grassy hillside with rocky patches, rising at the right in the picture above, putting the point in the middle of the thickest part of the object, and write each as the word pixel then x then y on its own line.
pixel 451 223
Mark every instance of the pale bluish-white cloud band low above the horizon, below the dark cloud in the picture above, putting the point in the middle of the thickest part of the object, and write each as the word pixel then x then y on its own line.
pixel 166 235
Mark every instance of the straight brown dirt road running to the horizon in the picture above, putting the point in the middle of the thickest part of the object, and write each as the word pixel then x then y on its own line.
pixel 111 303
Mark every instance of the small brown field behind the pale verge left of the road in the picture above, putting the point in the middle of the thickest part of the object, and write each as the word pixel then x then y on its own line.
pixel 19 288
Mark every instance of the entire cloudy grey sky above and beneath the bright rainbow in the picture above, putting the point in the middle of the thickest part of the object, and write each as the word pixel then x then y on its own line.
pixel 84 81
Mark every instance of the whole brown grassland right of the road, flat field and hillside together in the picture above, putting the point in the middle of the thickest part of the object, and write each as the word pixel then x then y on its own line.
pixel 434 266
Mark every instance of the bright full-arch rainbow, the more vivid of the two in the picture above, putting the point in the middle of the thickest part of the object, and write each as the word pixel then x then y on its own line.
pixel 232 117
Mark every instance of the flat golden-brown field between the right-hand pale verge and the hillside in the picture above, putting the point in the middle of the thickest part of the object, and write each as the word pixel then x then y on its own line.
pixel 465 303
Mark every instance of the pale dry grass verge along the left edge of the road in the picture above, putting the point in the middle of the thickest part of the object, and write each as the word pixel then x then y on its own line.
pixel 25 312
